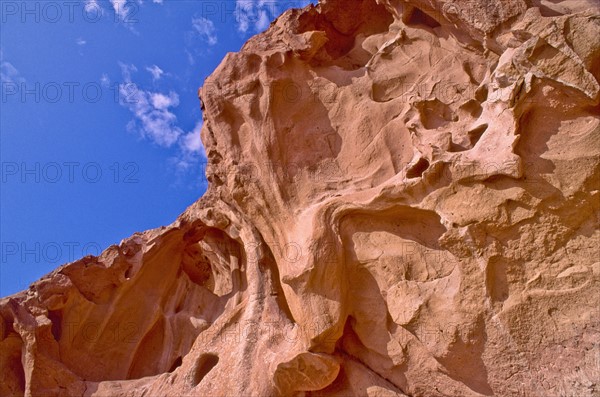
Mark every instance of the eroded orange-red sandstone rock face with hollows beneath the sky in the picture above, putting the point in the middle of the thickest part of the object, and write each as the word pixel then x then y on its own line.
pixel 404 201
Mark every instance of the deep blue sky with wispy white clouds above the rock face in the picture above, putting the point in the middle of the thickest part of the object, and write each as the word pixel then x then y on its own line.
pixel 99 119
